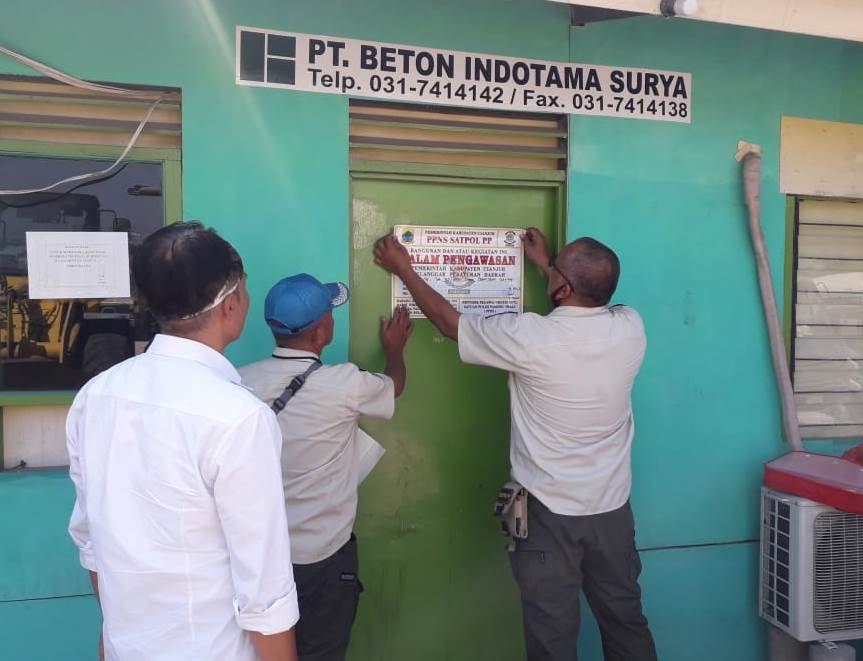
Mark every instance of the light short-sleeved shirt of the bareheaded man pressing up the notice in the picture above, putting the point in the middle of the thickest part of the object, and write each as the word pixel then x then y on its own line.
pixel 571 376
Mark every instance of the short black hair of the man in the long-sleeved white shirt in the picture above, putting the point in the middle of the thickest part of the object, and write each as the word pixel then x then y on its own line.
pixel 181 268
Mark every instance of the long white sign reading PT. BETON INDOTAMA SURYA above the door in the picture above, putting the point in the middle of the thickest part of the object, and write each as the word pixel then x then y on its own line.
pixel 316 63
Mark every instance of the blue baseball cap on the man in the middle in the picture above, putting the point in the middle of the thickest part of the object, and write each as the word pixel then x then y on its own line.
pixel 297 303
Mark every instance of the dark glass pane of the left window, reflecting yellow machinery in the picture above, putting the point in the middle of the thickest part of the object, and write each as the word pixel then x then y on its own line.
pixel 59 344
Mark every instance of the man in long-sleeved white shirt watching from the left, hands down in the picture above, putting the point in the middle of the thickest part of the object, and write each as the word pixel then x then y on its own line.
pixel 179 516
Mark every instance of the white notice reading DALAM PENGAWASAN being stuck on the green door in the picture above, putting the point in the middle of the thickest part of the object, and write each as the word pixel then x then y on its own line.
pixel 478 270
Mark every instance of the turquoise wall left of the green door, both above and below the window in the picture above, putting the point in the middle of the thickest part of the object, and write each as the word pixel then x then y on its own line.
pixel 268 168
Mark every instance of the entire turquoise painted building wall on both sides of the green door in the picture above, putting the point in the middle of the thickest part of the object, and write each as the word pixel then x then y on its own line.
pixel 268 168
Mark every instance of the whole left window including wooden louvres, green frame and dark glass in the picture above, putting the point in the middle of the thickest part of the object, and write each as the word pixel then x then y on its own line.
pixel 50 132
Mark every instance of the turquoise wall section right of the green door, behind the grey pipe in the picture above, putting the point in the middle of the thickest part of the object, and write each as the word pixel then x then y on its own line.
pixel 668 198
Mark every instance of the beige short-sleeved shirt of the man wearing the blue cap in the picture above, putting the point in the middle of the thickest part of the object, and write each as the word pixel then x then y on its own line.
pixel 321 455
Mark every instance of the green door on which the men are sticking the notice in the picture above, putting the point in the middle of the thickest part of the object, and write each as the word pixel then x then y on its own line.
pixel 436 575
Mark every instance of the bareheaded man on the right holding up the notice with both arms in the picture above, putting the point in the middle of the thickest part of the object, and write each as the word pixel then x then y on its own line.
pixel 571 375
